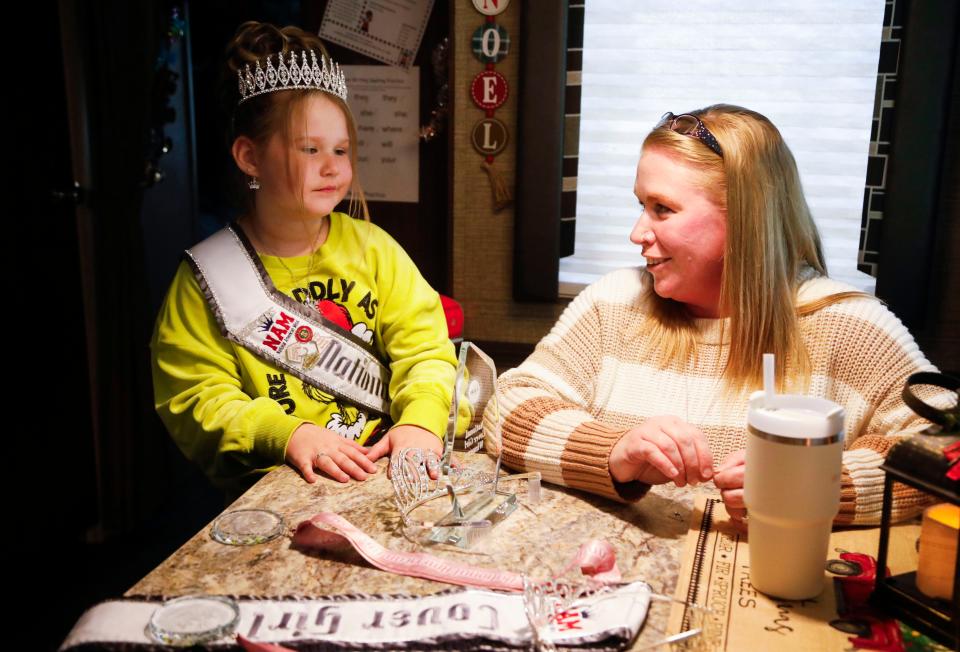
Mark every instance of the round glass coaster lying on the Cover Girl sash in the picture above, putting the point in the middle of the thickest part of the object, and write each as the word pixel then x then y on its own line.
pixel 193 619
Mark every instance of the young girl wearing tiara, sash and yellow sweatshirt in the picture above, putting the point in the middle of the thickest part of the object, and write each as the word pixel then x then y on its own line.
pixel 298 333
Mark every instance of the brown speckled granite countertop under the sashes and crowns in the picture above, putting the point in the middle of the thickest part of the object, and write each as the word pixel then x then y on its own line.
pixel 540 539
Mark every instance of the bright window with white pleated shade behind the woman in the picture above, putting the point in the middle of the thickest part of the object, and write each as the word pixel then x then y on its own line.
pixel 811 67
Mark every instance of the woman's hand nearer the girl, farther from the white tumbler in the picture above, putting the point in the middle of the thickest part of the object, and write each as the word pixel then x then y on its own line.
pixel 662 449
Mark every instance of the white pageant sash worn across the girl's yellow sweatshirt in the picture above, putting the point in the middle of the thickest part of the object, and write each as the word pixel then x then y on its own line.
pixel 288 334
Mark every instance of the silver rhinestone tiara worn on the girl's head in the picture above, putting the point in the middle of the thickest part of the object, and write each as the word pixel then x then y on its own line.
pixel 323 76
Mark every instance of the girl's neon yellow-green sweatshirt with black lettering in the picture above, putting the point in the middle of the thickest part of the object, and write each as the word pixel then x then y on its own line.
pixel 233 413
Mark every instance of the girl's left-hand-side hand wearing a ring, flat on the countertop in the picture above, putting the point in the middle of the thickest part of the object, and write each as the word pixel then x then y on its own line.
pixel 312 447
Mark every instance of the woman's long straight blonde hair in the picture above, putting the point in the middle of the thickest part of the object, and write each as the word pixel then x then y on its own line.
pixel 770 236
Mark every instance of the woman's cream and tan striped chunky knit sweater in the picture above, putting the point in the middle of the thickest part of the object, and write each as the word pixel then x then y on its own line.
pixel 588 382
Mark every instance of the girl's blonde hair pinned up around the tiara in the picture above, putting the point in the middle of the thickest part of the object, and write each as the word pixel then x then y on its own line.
pixel 262 116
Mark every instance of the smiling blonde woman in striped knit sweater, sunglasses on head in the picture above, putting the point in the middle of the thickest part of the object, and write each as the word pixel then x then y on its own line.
pixel 644 379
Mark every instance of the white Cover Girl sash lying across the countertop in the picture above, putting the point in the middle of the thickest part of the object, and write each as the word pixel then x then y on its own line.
pixel 467 619
